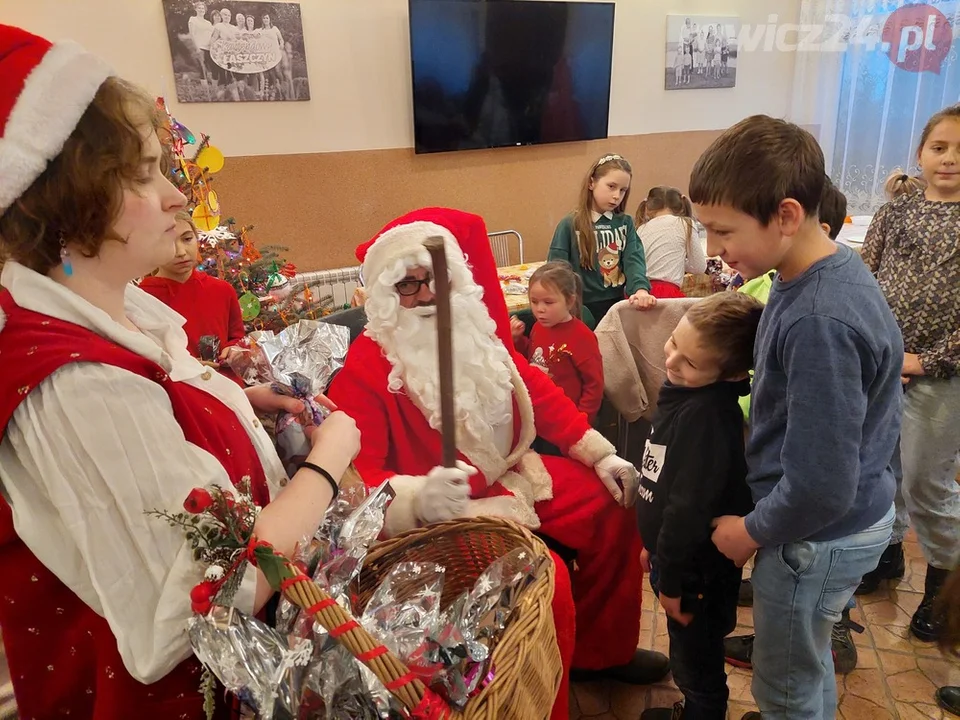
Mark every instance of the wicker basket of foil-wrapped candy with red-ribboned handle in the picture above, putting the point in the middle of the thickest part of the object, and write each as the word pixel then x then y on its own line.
pixel 410 628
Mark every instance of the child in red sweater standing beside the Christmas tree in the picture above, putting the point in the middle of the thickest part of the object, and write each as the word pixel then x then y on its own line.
pixel 209 305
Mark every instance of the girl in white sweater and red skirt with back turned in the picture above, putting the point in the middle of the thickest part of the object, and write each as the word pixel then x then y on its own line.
pixel 670 244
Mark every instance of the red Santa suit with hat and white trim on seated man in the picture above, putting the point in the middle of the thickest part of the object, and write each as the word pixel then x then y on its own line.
pixel 562 498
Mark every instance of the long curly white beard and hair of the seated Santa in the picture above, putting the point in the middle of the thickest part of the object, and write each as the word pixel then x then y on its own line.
pixel 482 377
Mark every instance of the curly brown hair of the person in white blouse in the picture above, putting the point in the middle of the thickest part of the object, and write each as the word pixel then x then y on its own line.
pixel 80 194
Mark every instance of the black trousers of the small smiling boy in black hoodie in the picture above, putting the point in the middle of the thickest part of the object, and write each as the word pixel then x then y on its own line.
pixel 696 650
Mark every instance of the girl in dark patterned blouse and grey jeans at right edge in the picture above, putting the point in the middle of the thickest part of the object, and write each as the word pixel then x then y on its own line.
pixel 911 247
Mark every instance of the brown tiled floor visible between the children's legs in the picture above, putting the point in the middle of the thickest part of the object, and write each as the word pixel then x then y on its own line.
pixel 895 677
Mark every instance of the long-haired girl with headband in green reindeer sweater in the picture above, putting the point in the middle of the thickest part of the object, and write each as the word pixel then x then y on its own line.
pixel 600 242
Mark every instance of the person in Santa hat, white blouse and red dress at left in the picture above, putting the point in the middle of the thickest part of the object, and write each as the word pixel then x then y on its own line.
pixel 105 415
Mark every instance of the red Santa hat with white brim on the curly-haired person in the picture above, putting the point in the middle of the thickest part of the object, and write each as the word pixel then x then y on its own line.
pixel 44 90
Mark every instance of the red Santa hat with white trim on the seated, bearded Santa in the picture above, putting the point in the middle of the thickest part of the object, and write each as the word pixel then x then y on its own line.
pixel 404 236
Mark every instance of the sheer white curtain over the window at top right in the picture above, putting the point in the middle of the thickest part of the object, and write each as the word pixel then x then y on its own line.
pixel 867 112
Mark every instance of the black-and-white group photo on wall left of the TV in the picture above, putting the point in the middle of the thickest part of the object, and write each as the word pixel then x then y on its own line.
pixel 237 51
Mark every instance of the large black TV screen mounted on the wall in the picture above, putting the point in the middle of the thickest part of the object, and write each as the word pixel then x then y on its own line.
pixel 495 73
